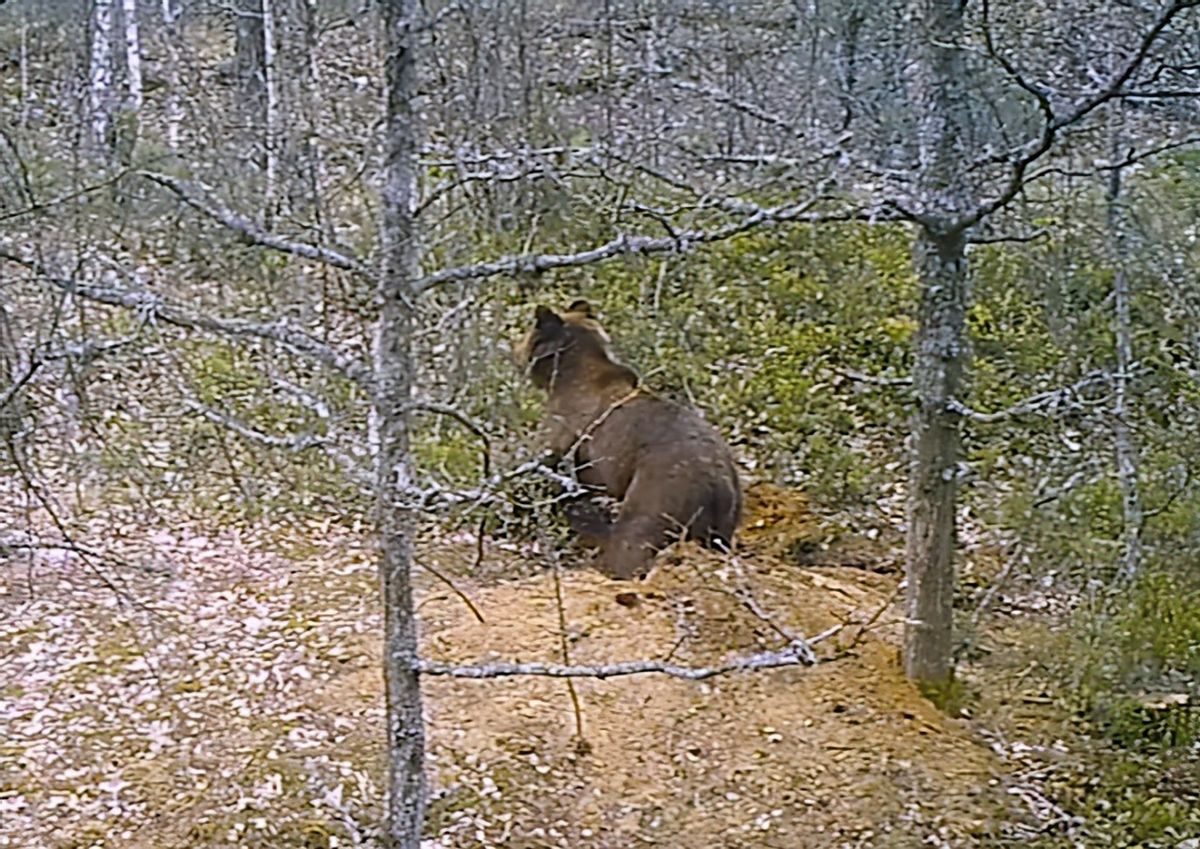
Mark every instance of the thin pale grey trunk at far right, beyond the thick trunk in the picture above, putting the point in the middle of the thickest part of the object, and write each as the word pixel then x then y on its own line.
pixel 1123 438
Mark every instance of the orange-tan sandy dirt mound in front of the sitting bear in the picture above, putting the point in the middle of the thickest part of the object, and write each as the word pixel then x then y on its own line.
pixel 841 755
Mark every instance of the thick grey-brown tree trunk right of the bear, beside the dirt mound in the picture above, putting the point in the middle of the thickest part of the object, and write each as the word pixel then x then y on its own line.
pixel 941 356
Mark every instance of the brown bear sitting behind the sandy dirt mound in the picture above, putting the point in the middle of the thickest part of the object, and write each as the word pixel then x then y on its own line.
pixel 671 469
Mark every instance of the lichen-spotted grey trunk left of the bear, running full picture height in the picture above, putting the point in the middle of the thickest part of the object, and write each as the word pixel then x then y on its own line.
pixel 394 386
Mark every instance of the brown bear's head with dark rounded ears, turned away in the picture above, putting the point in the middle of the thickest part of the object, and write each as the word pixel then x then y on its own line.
pixel 571 347
